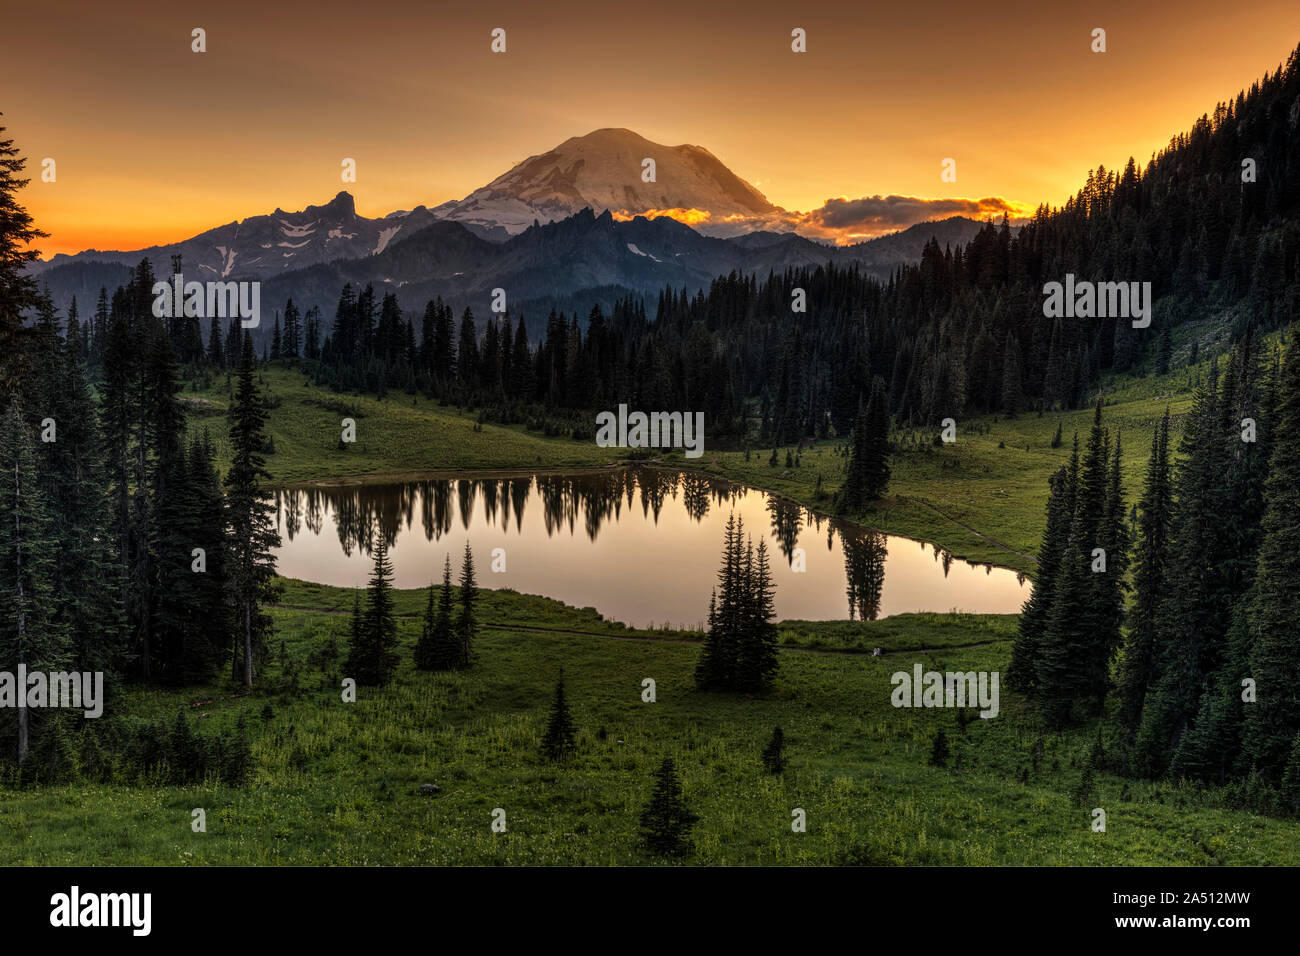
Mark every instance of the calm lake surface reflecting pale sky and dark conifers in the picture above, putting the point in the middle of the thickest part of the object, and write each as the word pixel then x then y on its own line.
pixel 640 546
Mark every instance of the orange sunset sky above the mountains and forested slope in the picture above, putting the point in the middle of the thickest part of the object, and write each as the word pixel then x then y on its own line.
pixel 155 144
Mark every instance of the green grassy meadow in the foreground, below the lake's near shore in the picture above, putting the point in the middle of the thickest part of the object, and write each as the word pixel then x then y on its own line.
pixel 337 784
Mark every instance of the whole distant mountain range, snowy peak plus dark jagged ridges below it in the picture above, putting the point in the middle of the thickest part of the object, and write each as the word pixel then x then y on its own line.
pixel 557 231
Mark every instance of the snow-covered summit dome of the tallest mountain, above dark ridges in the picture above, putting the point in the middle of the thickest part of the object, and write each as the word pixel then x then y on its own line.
pixel 604 171
